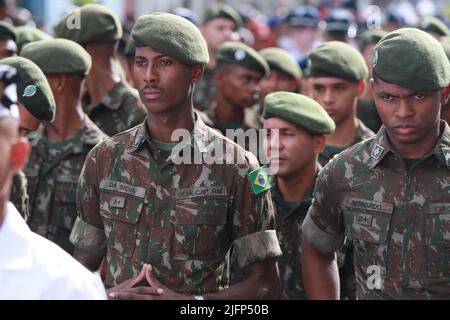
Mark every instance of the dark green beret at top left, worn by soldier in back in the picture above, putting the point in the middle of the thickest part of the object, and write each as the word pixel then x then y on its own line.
pixel 98 24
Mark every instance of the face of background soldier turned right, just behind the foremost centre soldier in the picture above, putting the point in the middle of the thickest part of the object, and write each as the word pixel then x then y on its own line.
pixel 238 85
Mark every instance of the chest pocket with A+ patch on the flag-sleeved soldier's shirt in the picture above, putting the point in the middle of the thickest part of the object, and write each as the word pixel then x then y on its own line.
pixel 121 212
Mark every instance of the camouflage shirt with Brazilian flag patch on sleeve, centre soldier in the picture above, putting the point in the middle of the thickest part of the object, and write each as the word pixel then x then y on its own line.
pixel 137 207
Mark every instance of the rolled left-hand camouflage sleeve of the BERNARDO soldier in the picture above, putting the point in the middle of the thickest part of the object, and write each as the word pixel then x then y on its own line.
pixel 323 226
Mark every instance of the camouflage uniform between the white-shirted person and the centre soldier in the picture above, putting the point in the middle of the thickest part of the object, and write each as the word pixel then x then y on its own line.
pixel 52 175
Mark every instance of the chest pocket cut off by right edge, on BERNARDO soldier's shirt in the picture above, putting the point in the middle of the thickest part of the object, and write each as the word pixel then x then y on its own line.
pixel 437 237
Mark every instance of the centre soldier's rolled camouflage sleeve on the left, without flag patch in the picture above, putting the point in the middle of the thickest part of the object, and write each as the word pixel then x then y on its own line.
pixel 87 232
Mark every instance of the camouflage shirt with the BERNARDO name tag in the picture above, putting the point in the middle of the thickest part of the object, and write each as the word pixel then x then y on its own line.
pixel 397 218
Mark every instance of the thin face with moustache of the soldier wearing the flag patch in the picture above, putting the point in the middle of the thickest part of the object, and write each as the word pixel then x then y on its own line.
pixel 164 83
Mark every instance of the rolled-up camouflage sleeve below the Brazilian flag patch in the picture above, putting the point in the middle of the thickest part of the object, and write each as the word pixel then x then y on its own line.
pixel 254 236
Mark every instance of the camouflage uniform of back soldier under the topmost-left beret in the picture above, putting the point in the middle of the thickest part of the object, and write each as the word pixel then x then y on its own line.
pixel 120 110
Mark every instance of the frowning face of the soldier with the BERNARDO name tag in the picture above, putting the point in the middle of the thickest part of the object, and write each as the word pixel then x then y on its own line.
pixel 411 118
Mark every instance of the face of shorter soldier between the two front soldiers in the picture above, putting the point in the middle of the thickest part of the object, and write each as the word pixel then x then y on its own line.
pixel 297 148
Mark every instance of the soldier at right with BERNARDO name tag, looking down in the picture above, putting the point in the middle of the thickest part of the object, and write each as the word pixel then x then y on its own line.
pixel 388 194
